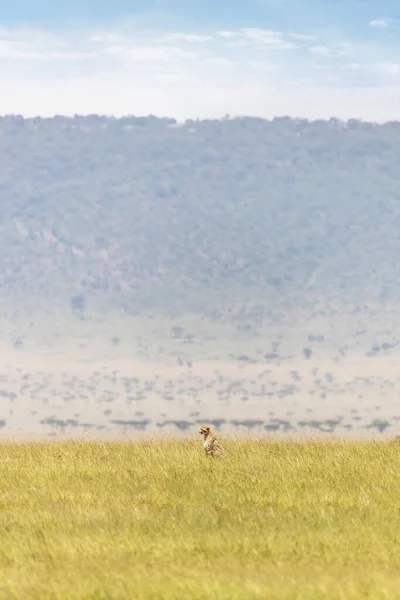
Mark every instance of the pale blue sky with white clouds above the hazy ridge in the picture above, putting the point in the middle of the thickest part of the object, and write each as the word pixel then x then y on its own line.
pixel 201 58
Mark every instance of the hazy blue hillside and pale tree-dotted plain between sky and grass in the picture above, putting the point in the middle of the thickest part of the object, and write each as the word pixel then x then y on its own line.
pixel 156 274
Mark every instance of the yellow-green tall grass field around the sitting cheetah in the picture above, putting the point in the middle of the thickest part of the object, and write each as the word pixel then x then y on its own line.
pixel 159 521
